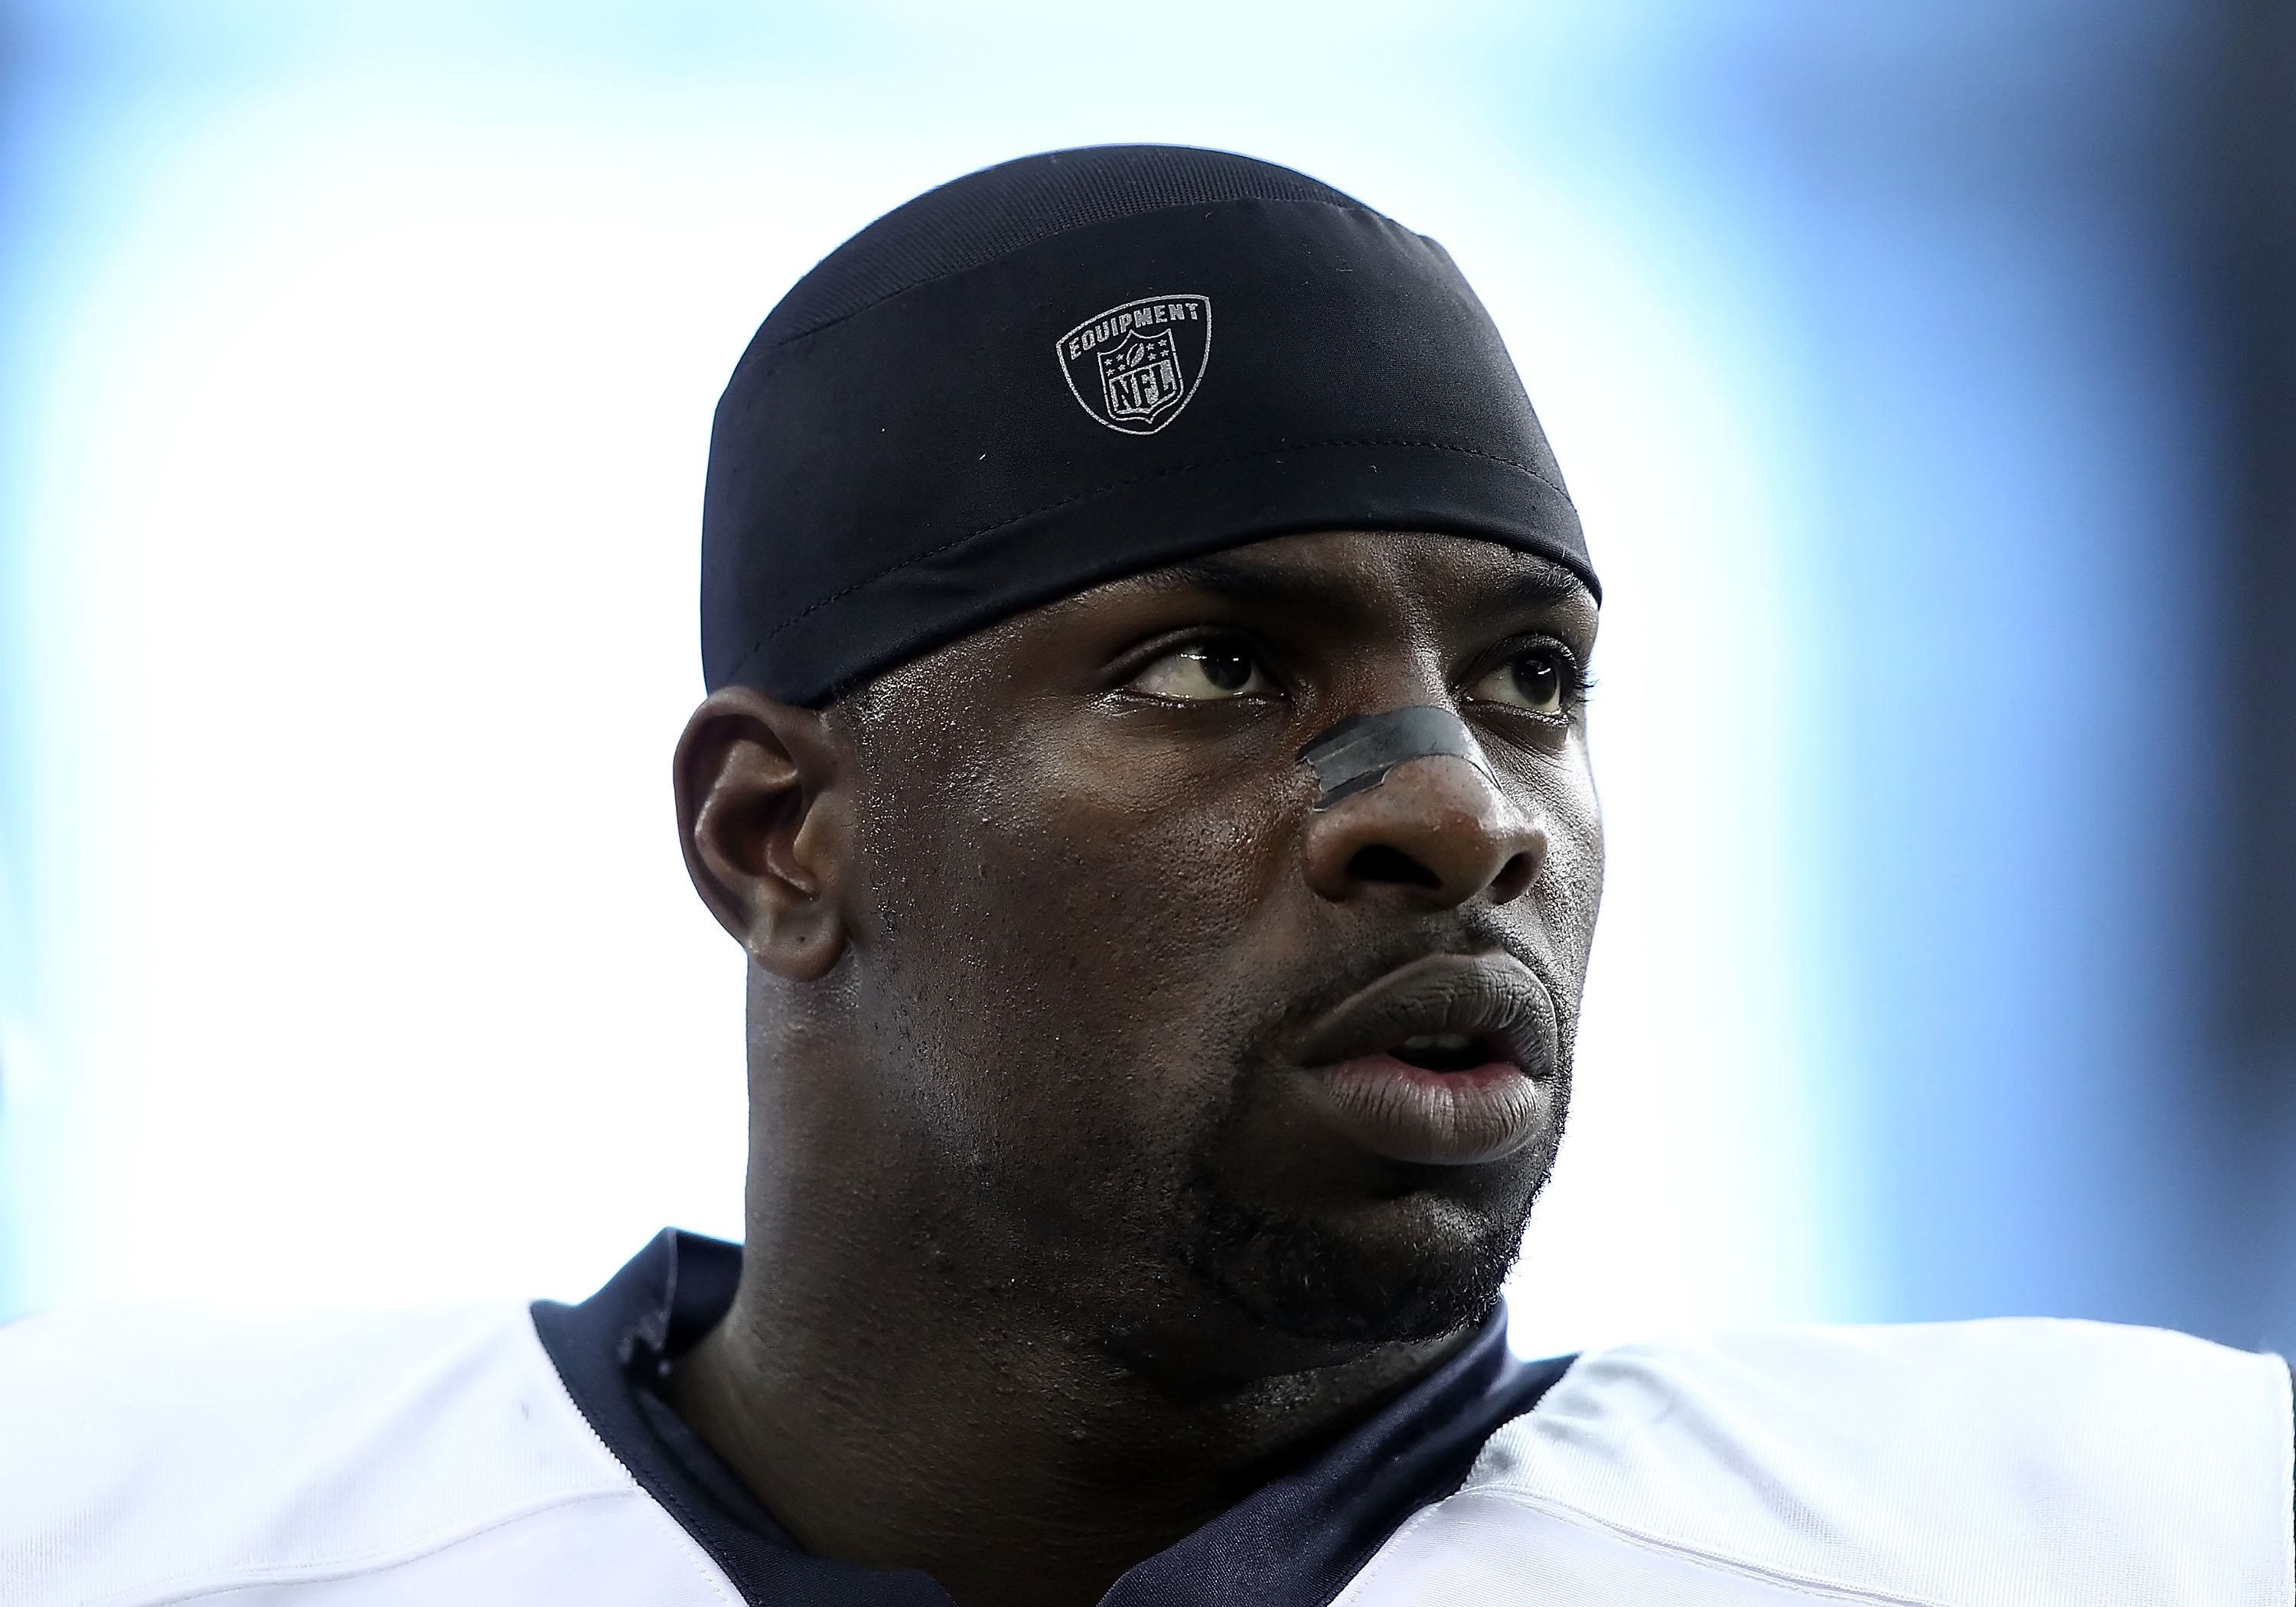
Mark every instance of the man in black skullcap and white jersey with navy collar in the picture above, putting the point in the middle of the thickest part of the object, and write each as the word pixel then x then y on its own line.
pixel 1147 768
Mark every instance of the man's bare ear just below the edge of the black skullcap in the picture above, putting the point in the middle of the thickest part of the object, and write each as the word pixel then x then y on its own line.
pixel 761 816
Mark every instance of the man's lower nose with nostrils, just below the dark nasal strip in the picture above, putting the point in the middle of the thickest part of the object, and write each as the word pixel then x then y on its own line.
pixel 1438 832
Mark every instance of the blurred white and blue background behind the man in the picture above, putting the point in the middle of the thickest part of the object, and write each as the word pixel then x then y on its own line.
pixel 1923 375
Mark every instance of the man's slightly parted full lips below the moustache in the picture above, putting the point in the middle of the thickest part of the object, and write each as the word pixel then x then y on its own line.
pixel 1448 1062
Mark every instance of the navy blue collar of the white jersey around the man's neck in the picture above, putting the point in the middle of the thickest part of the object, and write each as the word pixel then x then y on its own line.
pixel 1296 1542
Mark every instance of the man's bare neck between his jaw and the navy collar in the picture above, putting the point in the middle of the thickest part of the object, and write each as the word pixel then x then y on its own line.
pixel 906 1385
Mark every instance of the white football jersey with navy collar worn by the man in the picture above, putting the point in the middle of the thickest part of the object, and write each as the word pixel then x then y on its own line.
pixel 513 1457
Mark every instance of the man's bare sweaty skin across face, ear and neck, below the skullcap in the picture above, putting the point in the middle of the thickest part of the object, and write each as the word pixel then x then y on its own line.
pixel 1083 1190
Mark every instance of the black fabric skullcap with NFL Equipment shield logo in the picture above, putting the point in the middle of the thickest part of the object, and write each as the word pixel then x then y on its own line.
pixel 1080 366
